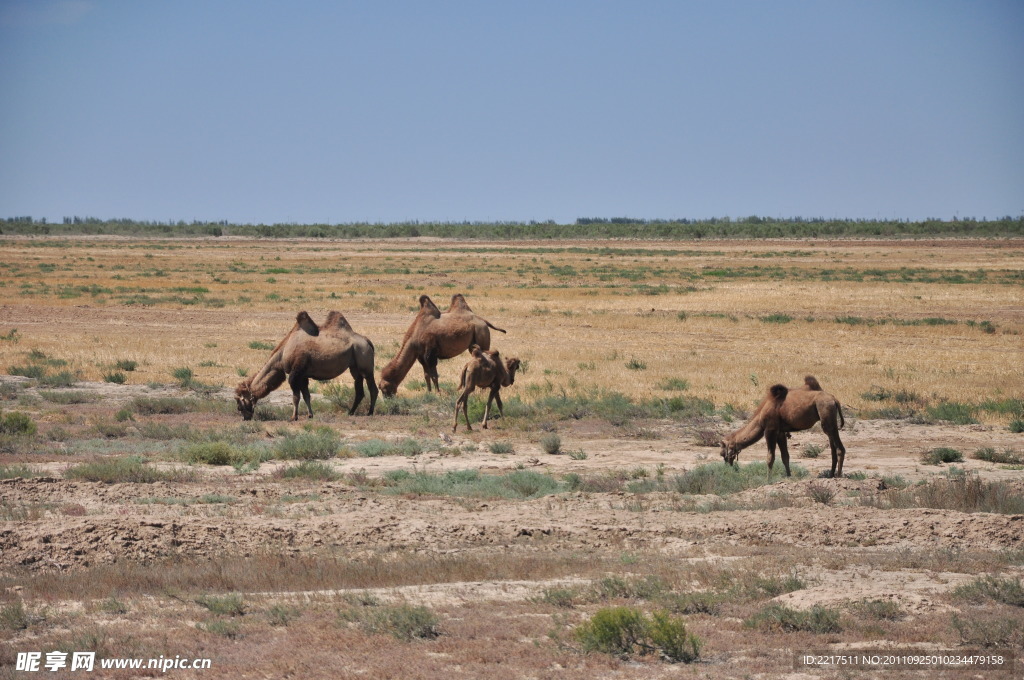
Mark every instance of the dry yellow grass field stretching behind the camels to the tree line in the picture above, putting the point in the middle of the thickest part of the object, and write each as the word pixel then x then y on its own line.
pixel 942 320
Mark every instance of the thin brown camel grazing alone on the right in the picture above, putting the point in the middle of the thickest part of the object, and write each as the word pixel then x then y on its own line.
pixel 785 411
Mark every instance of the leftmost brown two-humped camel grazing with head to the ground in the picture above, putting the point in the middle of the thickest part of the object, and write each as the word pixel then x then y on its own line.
pixel 321 353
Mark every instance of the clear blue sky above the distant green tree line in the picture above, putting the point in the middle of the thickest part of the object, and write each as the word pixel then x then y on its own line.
pixel 342 112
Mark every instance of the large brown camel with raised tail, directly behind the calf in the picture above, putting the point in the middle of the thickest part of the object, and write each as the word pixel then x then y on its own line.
pixel 434 336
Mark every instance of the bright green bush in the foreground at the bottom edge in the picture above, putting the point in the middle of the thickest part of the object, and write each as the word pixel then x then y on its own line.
pixel 625 632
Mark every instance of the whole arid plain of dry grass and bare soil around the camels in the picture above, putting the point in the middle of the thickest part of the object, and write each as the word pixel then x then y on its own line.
pixel 141 518
